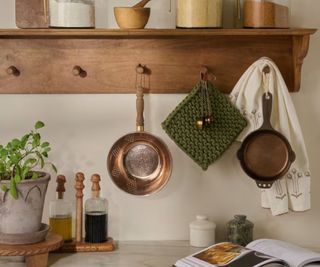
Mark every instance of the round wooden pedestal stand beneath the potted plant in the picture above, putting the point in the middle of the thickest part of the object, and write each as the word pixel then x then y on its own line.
pixel 36 255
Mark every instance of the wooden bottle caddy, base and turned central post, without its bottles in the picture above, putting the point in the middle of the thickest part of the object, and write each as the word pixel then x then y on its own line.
pixel 78 244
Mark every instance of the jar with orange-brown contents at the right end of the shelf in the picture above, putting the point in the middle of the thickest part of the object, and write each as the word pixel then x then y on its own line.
pixel 266 13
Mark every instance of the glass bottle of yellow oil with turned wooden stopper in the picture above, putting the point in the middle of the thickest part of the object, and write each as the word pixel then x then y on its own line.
pixel 60 212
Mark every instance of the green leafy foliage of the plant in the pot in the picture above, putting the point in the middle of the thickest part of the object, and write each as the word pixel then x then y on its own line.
pixel 20 157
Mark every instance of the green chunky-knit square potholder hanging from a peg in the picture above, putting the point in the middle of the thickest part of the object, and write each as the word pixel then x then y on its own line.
pixel 207 145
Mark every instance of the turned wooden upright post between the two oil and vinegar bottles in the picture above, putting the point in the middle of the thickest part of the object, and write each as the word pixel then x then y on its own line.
pixel 79 209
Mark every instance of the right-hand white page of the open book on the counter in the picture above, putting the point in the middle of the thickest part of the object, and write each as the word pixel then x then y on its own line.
pixel 293 255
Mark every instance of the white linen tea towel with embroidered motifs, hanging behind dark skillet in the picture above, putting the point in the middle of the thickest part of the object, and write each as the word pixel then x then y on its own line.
pixel 292 192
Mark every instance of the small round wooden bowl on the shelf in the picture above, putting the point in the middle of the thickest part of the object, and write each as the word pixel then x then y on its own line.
pixel 132 18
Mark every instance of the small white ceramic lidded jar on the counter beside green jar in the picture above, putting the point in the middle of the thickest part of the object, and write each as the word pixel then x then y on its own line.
pixel 202 232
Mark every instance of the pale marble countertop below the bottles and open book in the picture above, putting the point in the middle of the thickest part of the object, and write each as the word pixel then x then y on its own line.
pixel 127 254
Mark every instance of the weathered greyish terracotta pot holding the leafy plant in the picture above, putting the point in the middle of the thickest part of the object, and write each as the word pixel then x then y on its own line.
pixel 23 215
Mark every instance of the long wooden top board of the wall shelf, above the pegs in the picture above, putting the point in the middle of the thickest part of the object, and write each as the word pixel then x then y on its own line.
pixel 113 33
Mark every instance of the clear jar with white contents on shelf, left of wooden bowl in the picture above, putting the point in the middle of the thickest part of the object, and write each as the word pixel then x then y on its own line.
pixel 72 13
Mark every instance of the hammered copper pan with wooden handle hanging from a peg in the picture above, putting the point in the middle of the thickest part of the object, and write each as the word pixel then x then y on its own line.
pixel 139 163
